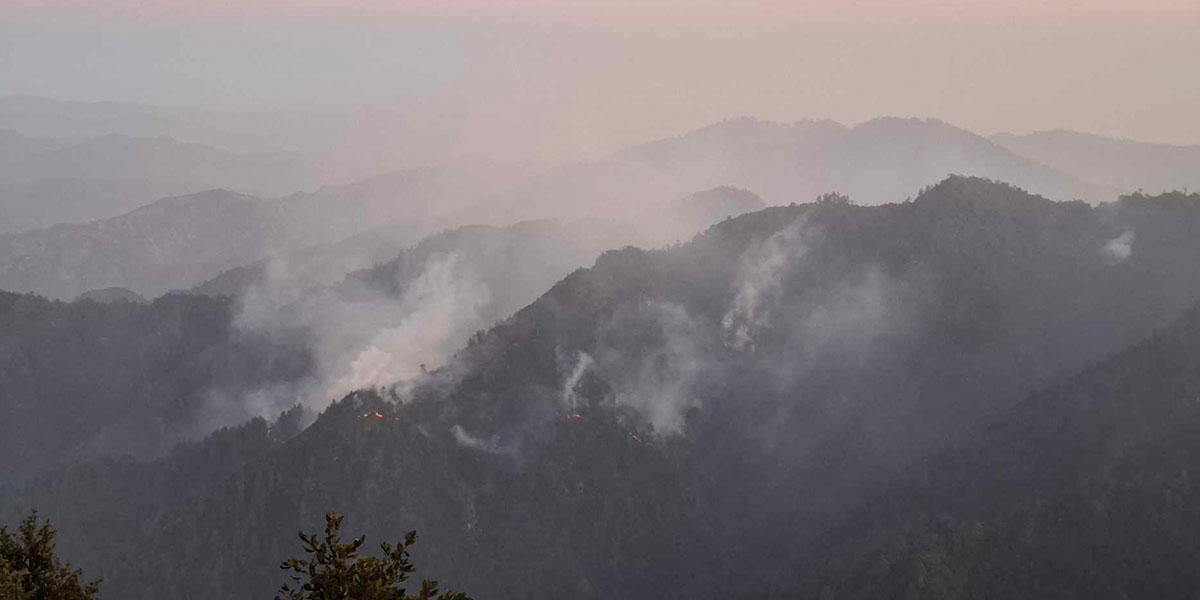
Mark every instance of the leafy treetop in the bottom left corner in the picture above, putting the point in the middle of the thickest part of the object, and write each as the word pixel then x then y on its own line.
pixel 29 569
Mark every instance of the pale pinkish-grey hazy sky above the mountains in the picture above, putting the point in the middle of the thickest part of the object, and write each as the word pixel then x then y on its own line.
pixel 555 79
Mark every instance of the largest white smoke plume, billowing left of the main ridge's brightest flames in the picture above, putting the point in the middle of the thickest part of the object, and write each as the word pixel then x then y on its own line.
pixel 374 340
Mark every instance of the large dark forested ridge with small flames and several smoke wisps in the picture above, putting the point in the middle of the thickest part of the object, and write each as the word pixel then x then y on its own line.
pixel 685 422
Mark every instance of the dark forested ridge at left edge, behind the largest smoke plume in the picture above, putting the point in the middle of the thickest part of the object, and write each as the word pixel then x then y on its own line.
pixel 87 380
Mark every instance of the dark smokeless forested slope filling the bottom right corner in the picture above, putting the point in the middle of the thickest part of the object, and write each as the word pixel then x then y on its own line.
pixel 1084 490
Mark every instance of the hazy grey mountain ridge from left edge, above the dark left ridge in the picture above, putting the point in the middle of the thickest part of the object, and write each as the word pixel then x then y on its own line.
pixel 179 243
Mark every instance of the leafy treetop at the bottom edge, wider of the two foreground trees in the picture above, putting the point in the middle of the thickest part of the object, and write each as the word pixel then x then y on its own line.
pixel 334 571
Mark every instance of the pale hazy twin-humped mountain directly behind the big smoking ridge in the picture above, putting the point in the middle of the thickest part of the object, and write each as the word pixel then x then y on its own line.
pixel 884 160
